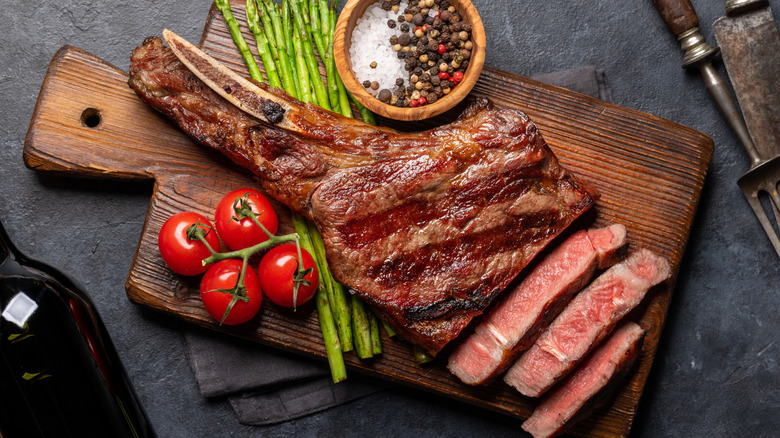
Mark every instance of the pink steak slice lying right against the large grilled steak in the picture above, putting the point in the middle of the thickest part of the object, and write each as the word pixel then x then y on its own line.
pixel 514 324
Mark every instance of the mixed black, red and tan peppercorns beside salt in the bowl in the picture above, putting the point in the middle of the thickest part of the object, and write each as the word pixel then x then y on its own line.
pixel 435 46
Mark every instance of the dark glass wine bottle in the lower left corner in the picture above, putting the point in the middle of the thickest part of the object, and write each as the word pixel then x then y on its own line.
pixel 60 375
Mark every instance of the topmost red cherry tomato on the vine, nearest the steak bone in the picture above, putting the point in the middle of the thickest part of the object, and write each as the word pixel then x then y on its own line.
pixel 239 233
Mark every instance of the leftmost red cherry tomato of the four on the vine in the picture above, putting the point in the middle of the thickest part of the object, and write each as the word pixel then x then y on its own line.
pixel 184 255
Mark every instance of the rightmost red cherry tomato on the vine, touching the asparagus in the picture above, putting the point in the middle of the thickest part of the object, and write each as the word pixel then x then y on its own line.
pixel 277 270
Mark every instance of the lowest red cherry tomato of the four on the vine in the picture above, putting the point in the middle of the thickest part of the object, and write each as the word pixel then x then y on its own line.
pixel 218 291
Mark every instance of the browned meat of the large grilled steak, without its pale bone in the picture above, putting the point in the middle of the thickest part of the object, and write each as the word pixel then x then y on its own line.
pixel 427 227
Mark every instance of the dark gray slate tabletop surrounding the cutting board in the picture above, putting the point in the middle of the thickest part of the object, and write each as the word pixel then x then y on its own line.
pixel 716 373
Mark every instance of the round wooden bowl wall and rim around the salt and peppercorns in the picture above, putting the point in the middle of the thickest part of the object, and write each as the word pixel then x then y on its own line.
pixel 353 10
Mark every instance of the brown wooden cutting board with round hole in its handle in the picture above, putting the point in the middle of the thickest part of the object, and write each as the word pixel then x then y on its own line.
pixel 88 123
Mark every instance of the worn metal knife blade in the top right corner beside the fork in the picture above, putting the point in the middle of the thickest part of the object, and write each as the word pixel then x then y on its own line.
pixel 750 46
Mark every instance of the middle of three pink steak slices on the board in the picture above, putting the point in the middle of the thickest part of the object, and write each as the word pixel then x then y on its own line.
pixel 590 316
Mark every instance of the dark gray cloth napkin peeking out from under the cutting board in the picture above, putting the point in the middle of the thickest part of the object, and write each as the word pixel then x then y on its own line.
pixel 266 386
